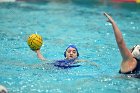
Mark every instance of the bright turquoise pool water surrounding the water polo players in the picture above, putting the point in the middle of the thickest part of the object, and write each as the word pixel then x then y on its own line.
pixel 61 24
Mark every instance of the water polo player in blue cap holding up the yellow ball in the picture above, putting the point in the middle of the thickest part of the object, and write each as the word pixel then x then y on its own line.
pixel 71 55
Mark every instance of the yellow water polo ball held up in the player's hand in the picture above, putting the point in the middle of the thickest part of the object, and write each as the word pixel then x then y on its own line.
pixel 35 41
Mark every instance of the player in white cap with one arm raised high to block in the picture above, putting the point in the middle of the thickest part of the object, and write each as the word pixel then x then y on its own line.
pixel 130 58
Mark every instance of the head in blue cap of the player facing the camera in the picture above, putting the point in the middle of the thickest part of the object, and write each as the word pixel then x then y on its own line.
pixel 71 52
